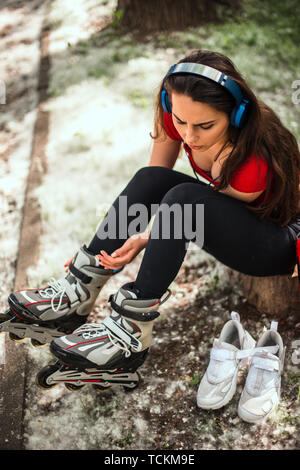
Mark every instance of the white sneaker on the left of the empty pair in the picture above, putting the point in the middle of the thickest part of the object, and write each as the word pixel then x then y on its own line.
pixel 229 352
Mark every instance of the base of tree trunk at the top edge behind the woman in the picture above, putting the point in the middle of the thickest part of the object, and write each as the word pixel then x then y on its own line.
pixel 145 16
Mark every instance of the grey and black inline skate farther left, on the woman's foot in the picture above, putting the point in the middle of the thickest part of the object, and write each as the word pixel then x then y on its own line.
pixel 59 308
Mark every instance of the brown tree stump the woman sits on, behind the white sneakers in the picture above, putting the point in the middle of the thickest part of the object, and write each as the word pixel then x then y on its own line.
pixel 277 296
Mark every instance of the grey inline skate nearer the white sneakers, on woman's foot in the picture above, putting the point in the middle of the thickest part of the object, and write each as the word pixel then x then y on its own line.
pixel 108 353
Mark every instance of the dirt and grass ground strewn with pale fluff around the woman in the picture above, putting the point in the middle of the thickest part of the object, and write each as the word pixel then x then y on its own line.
pixel 102 89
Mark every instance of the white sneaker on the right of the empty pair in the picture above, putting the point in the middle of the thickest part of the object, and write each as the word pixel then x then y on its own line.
pixel 261 394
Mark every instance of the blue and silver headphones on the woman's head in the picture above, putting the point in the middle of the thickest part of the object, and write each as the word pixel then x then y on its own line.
pixel 239 113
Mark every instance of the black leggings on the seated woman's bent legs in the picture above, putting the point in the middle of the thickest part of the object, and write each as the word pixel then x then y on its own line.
pixel 232 233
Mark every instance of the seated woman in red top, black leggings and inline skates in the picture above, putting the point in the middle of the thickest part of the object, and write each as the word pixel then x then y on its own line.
pixel 250 162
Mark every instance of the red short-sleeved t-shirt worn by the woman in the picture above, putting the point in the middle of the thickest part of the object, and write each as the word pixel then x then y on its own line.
pixel 251 177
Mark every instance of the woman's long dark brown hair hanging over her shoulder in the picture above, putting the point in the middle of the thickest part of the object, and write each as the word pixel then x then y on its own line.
pixel 263 135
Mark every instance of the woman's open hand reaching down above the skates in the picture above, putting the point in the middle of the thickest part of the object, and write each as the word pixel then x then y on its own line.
pixel 126 253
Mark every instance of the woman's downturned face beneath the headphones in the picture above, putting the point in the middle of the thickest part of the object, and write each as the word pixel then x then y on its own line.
pixel 200 125
